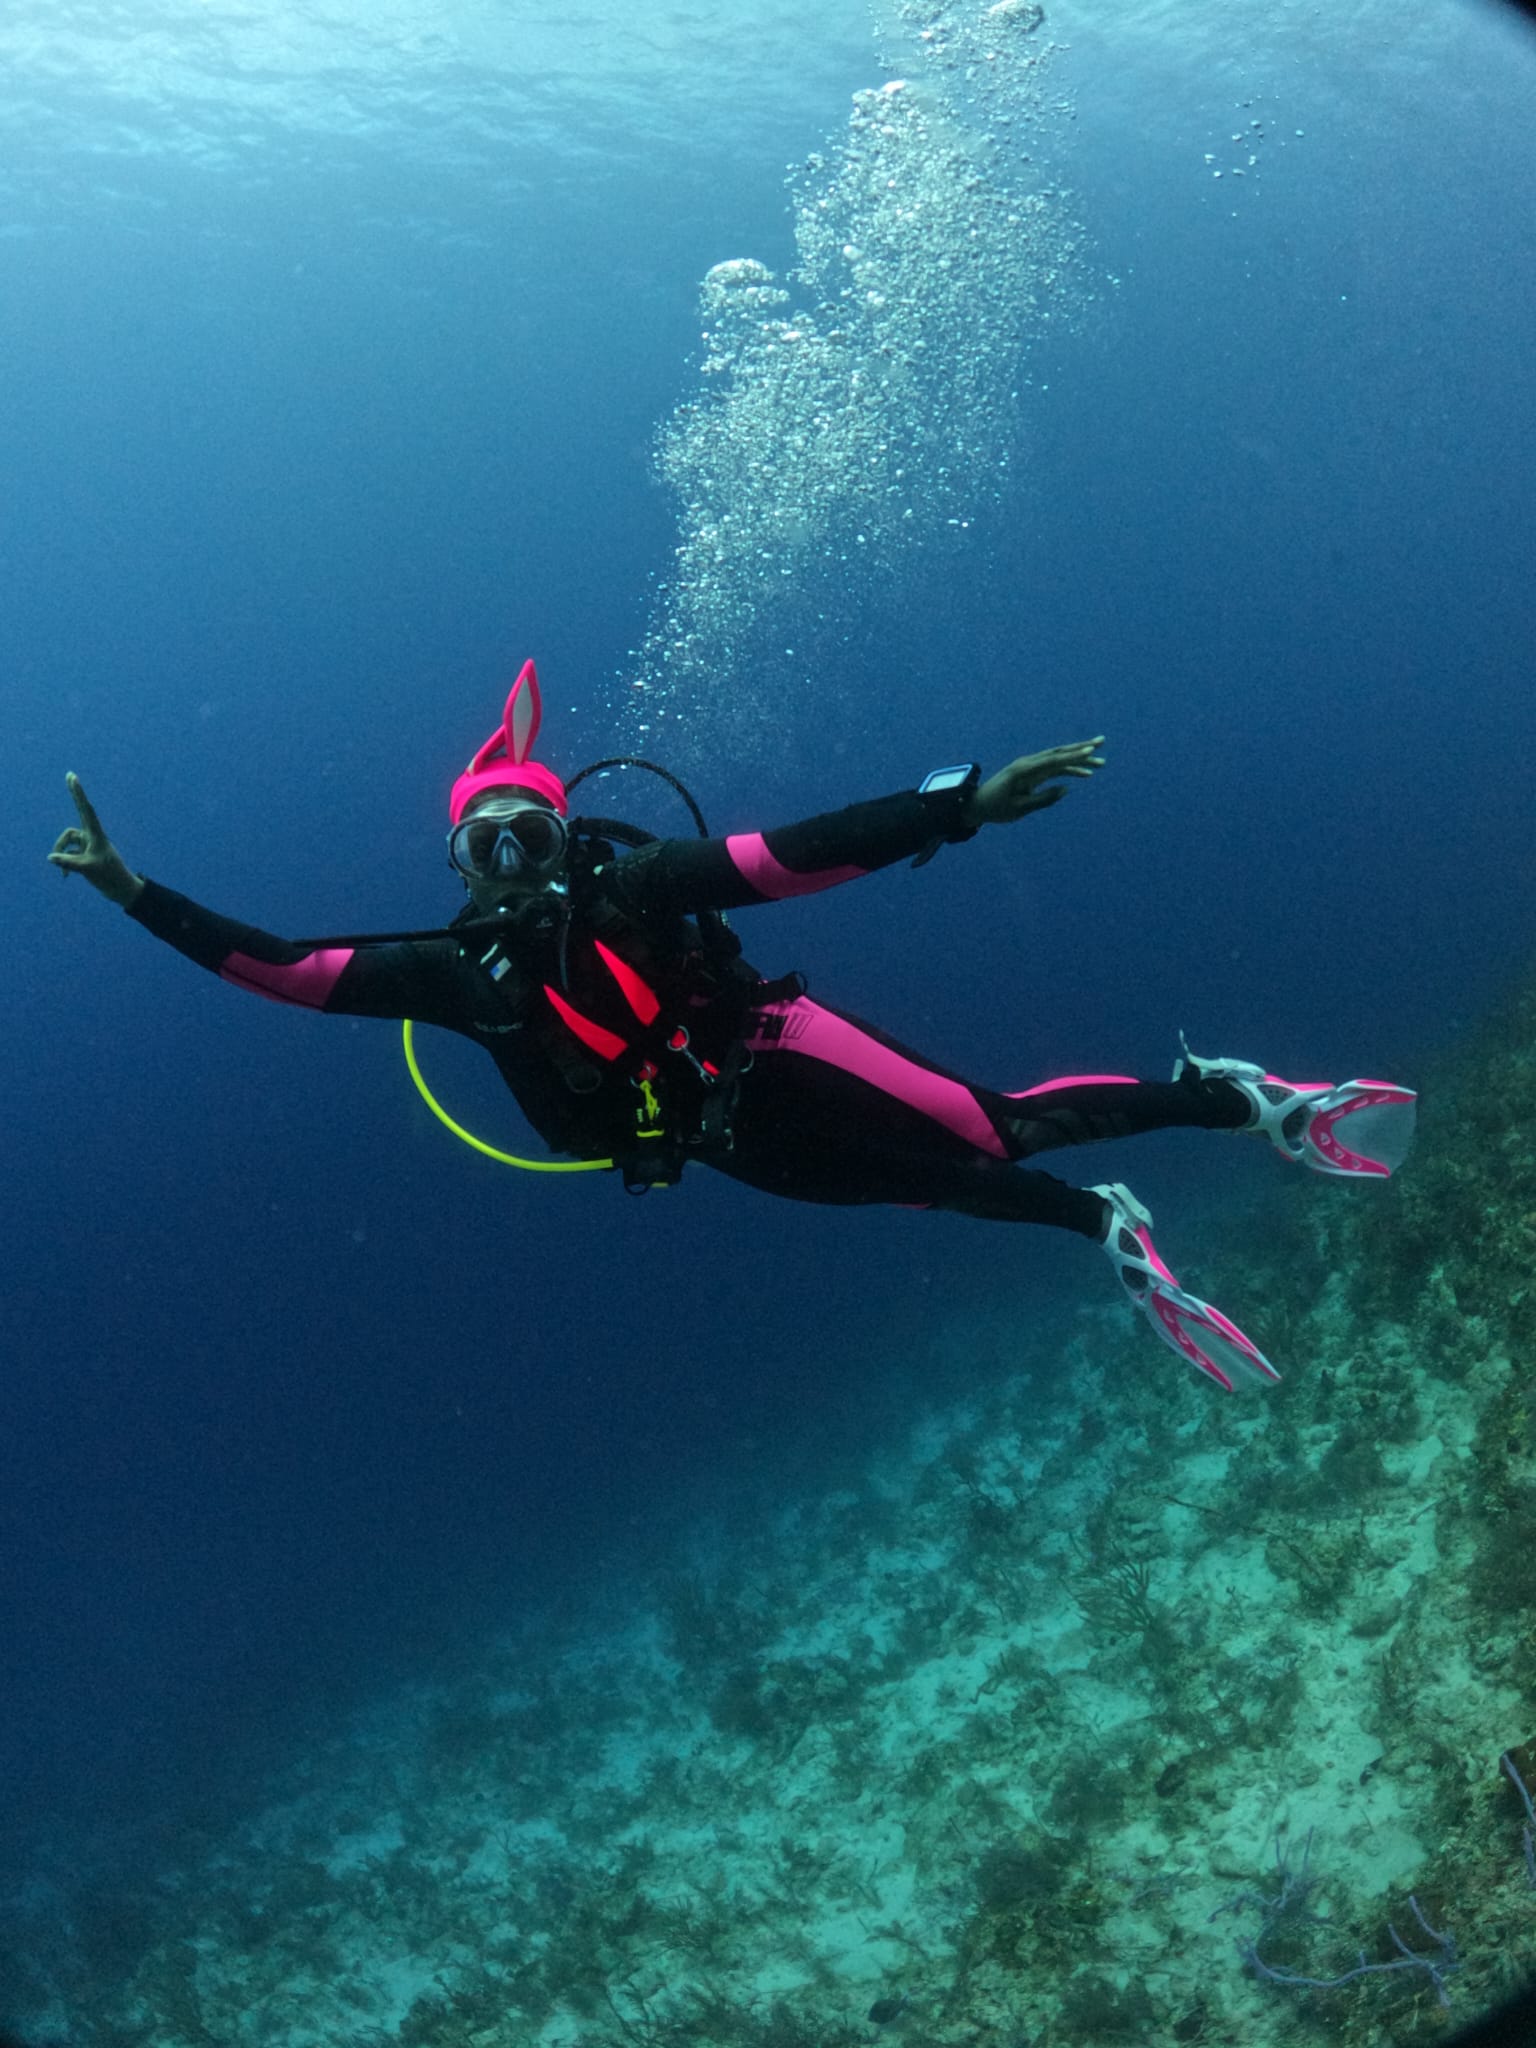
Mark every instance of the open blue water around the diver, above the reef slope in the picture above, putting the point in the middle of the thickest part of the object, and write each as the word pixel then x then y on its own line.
pixel 335 357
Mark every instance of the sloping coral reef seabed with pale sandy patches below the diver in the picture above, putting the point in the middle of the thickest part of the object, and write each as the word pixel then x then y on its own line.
pixel 1019 1742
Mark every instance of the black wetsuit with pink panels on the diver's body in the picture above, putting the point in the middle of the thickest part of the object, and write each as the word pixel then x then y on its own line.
pixel 824 1107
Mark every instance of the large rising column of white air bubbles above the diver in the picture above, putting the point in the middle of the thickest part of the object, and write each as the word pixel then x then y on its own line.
pixel 865 404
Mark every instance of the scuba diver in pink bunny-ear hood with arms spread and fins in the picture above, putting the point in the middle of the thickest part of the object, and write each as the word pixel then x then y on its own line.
pixel 595 966
